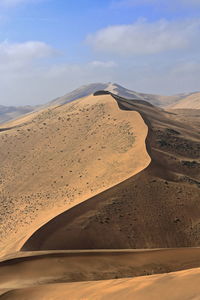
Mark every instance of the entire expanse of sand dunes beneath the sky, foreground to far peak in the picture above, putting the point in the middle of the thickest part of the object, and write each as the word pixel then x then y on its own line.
pixel 104 187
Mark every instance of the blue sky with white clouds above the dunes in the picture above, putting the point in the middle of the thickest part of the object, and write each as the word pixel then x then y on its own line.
pixel 50 47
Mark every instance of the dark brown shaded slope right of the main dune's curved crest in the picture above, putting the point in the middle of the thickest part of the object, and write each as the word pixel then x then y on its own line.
pixel 159 207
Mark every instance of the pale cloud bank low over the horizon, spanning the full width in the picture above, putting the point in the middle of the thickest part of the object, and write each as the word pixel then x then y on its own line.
pixel 27 76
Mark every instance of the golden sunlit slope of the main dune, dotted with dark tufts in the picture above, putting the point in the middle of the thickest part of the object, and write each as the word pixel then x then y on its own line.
pixel 59 157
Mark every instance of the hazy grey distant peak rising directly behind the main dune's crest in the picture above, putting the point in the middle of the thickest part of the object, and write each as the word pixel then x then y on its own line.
pixel 86 90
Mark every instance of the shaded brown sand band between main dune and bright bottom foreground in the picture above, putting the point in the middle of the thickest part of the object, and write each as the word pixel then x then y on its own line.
pixel 33 269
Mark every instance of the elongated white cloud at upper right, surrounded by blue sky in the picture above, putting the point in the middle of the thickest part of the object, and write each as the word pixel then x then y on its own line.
pixel 144 37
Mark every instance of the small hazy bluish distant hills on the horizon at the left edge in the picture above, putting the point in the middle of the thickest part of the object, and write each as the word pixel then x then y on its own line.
pixel 8 113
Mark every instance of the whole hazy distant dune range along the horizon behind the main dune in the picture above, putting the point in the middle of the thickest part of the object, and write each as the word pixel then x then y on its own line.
pixel 177 101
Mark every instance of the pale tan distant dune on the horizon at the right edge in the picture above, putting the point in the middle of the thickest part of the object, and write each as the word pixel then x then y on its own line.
pixel 190 102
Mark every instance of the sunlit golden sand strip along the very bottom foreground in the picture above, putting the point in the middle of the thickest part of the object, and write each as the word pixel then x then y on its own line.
pixel 174 286
